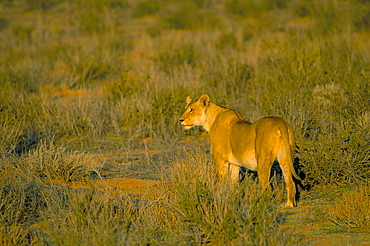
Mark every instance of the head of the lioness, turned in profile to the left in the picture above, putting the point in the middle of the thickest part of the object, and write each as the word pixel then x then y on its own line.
pixel 195 112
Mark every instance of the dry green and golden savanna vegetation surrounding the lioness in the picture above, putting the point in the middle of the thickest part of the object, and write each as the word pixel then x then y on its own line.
pixel 92 90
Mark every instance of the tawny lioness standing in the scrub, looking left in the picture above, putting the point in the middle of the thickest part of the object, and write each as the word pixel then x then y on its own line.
pixel 236 142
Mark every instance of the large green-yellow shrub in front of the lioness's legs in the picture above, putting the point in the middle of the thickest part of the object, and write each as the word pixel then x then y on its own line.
pixel 221 214
